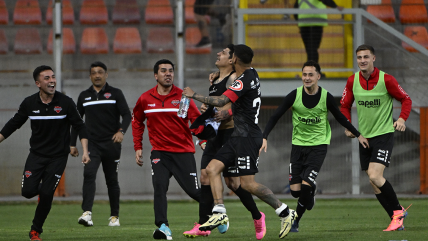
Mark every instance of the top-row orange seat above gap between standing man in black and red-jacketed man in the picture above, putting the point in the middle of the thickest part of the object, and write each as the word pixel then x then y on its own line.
pixel 126 12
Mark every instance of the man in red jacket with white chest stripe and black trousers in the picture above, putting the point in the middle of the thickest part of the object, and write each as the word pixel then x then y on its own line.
pixel 171 140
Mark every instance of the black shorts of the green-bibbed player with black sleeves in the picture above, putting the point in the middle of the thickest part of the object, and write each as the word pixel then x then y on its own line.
pixel 305 163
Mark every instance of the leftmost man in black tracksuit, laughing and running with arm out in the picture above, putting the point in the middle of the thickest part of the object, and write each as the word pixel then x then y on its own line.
pixel 51 114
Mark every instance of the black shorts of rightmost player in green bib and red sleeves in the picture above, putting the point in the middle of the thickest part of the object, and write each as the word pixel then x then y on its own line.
pixel 379 151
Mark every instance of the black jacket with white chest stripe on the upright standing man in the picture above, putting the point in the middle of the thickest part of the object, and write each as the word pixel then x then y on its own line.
pixel 102 113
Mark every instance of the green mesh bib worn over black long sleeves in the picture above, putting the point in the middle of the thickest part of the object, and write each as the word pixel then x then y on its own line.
pixel 310 126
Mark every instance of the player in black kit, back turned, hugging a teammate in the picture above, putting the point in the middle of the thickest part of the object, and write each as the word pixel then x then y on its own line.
pixel 242 149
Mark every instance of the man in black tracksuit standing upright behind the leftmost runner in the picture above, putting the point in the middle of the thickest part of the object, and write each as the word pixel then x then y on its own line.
pixel 103 106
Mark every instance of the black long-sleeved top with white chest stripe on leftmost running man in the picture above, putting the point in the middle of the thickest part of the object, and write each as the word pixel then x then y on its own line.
pixel 50 124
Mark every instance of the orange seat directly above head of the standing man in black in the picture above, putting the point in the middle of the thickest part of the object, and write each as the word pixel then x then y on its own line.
pixel 94 41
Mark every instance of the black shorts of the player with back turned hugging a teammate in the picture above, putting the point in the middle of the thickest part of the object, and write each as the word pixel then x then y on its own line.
pixel 241 153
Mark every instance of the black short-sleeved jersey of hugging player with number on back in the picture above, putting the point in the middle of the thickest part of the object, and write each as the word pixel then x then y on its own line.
pixel 245 94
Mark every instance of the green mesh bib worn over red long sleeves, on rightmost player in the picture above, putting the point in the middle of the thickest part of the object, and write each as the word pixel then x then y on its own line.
pixel 374 108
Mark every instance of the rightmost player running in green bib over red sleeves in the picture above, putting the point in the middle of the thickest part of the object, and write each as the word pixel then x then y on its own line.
pixel 373 90
